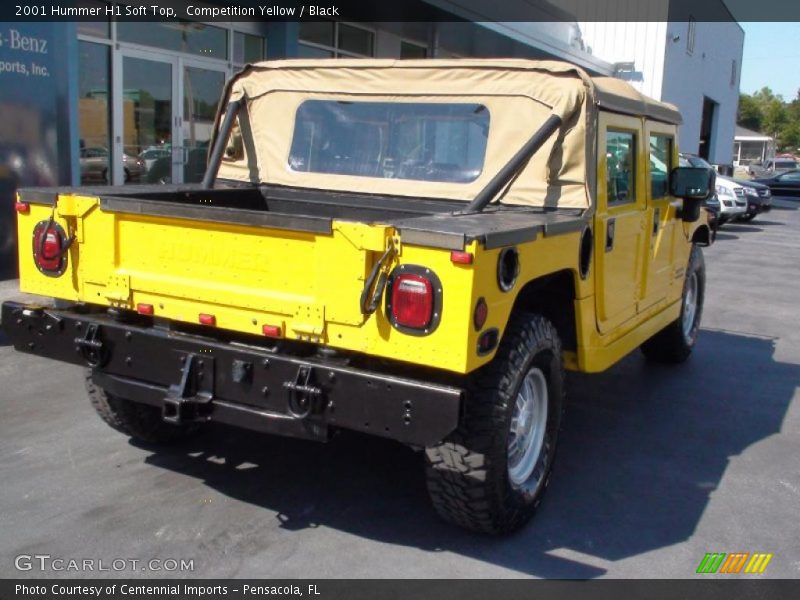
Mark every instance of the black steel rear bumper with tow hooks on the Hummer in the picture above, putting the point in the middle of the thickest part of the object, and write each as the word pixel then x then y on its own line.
pixel 194 378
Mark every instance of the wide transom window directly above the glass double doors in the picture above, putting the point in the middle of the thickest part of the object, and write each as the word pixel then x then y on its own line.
pixel 181 36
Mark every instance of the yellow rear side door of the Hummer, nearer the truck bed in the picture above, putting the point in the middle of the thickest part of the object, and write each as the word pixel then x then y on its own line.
pixel 620 220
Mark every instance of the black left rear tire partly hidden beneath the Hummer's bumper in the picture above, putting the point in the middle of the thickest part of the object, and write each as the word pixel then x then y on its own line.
pixel 140 421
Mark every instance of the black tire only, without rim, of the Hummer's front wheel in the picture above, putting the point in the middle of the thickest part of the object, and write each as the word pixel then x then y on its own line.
pixel 671 345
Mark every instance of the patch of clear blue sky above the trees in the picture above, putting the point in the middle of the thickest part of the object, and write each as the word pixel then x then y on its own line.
pixel 771 58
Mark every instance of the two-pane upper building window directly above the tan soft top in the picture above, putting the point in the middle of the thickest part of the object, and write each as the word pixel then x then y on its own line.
pixel 331 39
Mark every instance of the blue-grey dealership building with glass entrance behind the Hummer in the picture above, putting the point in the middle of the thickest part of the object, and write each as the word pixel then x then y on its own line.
pixel 119 102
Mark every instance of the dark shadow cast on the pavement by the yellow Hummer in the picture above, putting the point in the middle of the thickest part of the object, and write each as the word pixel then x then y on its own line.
pixel 642 448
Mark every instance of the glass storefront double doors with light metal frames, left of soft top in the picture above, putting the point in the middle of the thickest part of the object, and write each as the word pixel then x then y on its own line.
pixel 164 125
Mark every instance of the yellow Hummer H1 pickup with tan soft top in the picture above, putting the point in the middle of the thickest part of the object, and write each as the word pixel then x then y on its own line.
pixel 412 249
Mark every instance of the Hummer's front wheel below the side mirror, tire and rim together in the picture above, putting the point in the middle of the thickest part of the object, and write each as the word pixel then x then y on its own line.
pixel 674 343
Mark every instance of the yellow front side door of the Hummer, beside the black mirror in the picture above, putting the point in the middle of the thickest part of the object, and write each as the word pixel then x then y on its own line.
pixel 661 214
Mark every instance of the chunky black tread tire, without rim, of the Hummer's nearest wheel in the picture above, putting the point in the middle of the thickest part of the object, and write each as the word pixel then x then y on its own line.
pixel 467 473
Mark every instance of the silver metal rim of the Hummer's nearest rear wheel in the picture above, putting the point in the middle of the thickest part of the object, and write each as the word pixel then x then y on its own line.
pixel 527 431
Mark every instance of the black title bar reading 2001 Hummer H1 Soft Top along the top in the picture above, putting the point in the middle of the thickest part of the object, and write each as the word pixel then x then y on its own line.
pixel 401 10
